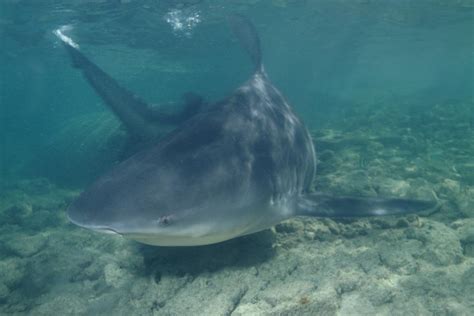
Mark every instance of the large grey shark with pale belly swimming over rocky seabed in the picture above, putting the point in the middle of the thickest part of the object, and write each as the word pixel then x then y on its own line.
pixel 234 168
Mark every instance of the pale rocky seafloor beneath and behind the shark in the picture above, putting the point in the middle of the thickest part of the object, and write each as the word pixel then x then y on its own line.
pixel 413 265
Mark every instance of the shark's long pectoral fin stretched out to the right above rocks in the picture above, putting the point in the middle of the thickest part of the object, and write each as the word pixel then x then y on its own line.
pixel 322 205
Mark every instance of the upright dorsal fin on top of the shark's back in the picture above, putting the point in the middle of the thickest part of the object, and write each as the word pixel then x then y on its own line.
pixel 245 31
